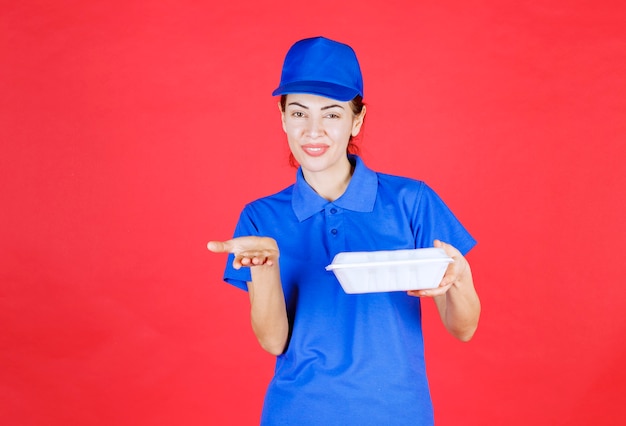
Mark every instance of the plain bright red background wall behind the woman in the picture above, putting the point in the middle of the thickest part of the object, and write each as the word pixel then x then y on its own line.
pixel 133 133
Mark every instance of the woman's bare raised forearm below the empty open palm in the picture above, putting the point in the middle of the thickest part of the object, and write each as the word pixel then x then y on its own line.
pixel 268 312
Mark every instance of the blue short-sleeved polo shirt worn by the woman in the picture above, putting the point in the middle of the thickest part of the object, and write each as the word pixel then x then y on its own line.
pixel 352 359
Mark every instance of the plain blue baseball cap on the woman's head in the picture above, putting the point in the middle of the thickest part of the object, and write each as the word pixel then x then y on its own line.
pixel 323 67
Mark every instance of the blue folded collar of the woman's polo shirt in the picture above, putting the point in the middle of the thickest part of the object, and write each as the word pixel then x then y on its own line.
pixel 359 196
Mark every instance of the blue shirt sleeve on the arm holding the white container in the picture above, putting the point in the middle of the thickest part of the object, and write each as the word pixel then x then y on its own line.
pixel 434 220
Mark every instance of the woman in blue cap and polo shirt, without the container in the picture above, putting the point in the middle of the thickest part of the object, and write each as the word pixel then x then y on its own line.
pixel 341 358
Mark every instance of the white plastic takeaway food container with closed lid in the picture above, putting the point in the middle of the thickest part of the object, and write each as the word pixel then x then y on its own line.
pixel 390 270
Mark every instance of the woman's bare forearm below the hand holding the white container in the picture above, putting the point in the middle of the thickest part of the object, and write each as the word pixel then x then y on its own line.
pixel 459 307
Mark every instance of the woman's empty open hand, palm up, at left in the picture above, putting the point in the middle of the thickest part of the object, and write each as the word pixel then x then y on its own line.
pixel 248 251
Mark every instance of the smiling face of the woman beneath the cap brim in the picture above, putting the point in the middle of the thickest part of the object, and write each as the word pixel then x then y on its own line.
pixel 318 131
